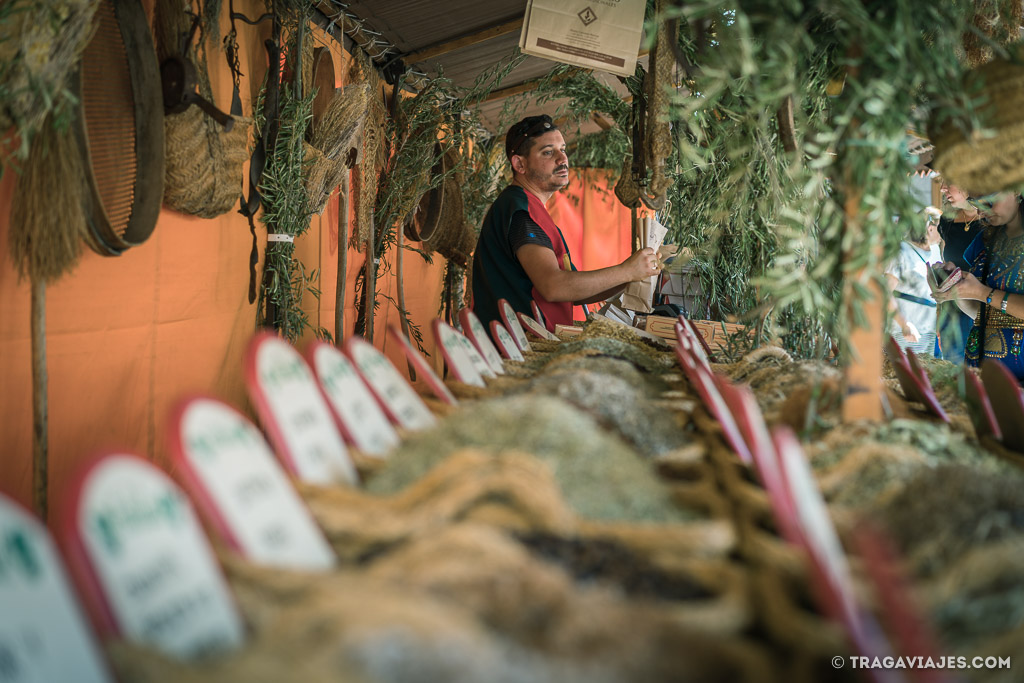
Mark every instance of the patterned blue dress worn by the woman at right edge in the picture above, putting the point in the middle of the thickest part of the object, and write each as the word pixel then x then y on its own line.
pixel 1006 263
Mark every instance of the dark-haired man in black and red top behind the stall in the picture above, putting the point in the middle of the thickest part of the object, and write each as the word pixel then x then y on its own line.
pixel 522 255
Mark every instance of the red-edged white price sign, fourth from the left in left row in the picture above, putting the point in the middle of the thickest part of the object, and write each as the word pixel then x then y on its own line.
pixel 294 413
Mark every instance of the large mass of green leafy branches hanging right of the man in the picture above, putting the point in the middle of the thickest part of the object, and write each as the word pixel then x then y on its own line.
pixel 770 228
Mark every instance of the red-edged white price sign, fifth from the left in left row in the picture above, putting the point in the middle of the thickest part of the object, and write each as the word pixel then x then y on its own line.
pixel 362 420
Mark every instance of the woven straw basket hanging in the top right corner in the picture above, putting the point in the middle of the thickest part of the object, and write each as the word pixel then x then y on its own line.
pixel 991 160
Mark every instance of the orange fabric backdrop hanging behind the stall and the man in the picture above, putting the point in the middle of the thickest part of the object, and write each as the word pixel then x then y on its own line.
pixel 129 337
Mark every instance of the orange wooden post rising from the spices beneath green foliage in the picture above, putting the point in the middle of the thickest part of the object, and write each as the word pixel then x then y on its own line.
pixel 863 387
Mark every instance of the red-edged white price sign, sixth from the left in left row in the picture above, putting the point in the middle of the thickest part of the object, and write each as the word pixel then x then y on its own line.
pixel 396 397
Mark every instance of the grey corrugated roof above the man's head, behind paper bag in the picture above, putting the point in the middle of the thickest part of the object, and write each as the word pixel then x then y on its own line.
pixel 412 26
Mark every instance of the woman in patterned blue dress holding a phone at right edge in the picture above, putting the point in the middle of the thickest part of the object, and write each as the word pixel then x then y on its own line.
pixel 993 290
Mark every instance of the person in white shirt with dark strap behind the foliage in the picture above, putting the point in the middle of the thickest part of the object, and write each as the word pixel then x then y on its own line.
pixel 914 308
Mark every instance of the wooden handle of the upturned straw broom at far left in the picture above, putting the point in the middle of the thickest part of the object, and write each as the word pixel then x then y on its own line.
pixel 40 411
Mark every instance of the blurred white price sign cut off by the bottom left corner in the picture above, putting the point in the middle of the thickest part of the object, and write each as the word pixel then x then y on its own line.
pixel 44 634
